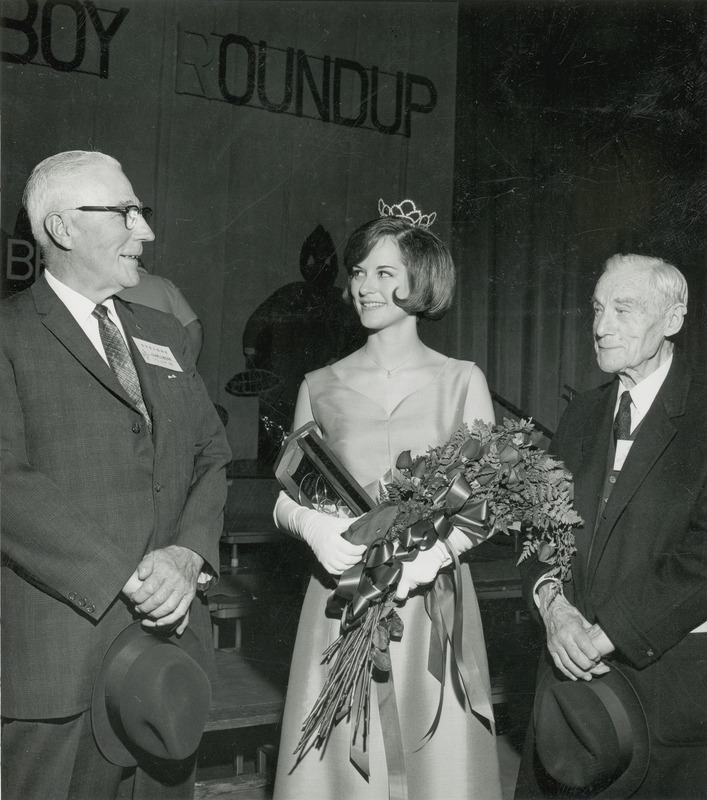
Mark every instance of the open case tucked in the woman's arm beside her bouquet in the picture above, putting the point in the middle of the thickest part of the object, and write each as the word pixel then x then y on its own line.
pixel 313 476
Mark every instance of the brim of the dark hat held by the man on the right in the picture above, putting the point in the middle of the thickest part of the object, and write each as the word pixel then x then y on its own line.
pixel 634 773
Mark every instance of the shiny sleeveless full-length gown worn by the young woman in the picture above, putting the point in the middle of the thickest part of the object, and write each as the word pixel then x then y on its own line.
pixel 460 761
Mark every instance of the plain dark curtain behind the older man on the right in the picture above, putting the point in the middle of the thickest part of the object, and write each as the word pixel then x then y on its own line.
pixel 580 133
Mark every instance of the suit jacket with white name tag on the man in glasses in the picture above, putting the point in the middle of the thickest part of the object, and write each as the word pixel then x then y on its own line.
pixel 87 491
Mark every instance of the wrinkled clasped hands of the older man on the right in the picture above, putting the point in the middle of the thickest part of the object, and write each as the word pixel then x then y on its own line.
pixel 573 643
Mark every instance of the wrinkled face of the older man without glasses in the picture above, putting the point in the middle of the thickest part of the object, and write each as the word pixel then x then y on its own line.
pixel 630 324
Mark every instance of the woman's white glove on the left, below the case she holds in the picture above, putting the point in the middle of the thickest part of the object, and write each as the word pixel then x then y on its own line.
pixel 322 532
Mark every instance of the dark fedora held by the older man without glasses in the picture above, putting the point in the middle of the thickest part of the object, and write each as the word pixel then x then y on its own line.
pixel 592 736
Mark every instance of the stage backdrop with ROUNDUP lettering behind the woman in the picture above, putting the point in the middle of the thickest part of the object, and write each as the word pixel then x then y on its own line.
pixel 260 132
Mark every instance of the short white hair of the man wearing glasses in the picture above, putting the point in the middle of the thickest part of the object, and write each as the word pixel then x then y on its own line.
pixel 44 186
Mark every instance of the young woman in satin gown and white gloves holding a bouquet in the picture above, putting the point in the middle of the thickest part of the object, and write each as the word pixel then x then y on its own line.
pixel 392 395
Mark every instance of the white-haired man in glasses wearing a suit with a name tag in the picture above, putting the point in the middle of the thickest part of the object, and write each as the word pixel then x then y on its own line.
pixel 113 482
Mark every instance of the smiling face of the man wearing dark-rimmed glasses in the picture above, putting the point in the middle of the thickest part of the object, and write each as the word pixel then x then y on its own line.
pixel 102 257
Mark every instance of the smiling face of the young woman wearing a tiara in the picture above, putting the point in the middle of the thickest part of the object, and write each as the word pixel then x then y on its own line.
pixel 374 283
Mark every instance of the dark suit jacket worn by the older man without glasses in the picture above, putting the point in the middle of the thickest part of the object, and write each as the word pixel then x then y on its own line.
pixel 642 574
